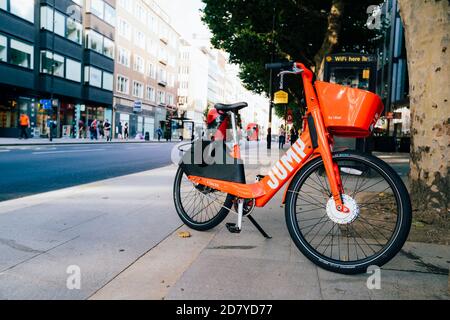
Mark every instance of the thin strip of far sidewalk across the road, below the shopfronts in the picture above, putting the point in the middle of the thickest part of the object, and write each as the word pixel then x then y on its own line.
pixel 5 142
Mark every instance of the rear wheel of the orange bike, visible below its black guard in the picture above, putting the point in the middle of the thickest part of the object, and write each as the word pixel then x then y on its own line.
pixel 202 201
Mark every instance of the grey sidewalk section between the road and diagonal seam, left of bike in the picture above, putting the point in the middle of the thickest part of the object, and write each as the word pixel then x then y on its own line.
pixel 102 228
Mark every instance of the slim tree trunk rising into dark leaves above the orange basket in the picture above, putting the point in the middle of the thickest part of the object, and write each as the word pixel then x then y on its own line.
pixel 331 37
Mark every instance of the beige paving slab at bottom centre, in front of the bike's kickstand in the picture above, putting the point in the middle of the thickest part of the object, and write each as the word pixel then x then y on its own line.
pixel 215 277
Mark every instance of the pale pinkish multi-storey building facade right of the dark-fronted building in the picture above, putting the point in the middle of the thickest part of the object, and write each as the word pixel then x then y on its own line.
pixel 145 91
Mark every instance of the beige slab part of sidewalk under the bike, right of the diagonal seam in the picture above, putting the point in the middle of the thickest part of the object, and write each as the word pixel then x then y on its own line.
pixel 220 265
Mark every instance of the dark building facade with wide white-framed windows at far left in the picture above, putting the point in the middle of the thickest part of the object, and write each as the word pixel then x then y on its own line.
pixel 56 62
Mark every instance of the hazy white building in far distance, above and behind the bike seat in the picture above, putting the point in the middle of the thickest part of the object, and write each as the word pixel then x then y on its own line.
pixel 206 78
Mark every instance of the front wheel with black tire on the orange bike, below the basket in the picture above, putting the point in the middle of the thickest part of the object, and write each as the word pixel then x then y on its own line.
pixel 397 197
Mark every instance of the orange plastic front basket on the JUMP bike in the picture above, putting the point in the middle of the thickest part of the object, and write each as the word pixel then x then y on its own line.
pixel 348 112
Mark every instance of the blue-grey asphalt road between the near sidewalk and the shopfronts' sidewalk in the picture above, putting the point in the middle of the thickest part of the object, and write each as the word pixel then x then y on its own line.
pixel 30 170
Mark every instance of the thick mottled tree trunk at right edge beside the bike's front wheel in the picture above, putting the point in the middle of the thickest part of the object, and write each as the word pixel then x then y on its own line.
pixel 427 32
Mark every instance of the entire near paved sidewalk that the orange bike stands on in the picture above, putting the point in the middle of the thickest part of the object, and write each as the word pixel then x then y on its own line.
pixel 122 232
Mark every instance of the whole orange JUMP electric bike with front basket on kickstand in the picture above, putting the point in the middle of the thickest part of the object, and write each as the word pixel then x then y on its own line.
pixel 344 210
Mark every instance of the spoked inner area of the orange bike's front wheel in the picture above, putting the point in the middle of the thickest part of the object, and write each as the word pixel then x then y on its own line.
pixel 365 237
